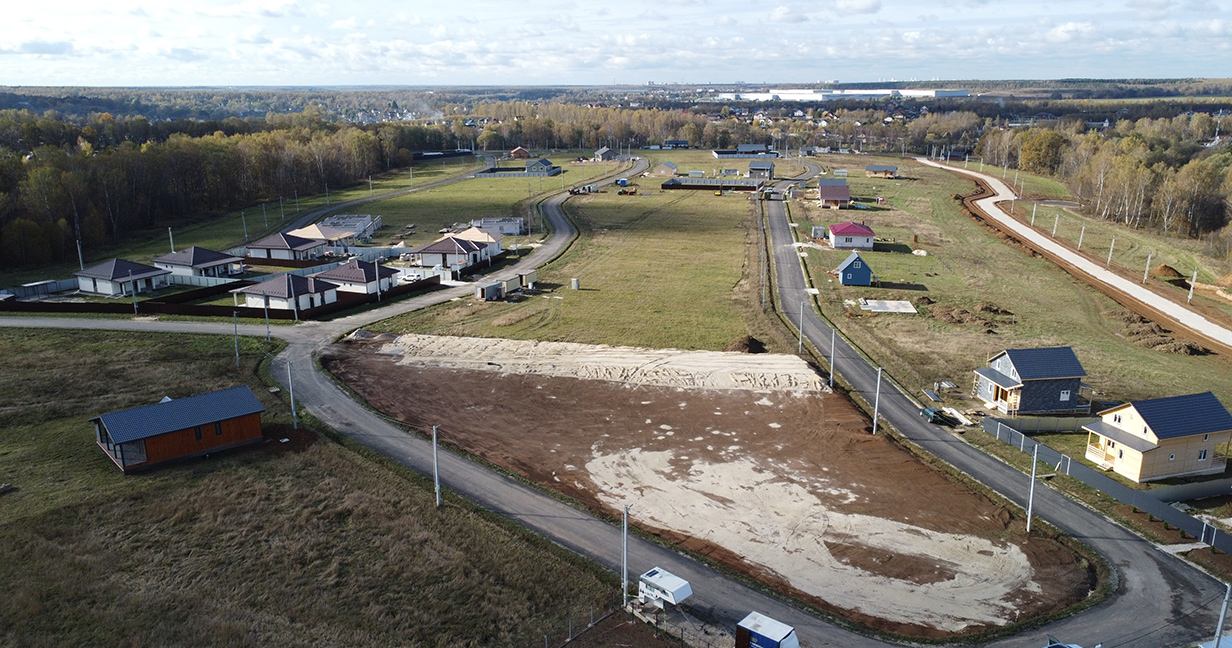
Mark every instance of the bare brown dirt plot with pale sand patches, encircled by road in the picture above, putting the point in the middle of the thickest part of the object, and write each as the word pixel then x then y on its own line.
pixel 787 486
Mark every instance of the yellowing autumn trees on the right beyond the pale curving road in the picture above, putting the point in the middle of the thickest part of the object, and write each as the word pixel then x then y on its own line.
pixel 1166 174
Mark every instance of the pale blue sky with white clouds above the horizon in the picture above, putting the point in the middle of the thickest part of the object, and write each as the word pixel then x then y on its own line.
pixel 540 43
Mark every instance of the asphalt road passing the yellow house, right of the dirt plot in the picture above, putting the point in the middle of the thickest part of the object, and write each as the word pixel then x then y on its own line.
pixel 1160 599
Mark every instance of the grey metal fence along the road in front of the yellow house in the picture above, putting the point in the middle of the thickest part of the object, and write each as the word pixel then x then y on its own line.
pixel 1133 497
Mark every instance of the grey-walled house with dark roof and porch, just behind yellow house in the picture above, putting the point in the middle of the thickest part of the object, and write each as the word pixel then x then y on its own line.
pixel 1033 381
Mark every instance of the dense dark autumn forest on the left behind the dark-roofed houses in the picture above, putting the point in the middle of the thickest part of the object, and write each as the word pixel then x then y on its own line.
pixel 59 195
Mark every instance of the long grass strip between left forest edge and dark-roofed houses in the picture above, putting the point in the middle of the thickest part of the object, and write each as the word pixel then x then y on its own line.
pixel 222 232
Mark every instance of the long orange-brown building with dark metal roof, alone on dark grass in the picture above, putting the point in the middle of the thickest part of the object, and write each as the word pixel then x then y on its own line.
pixel 176 429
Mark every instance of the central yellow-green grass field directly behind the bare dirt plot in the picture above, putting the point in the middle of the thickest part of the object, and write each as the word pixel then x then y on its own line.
pixel 663 269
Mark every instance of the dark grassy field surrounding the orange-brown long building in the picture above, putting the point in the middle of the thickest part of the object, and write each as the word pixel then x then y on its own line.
pixel 302 544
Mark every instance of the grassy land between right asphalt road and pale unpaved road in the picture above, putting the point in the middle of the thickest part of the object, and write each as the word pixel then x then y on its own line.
pixel 967 268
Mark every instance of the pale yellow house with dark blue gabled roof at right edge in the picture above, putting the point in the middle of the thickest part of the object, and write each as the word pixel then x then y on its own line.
pixel 1161 438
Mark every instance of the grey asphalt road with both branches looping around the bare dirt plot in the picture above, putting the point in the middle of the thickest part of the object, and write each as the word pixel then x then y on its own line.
pixel 1160 601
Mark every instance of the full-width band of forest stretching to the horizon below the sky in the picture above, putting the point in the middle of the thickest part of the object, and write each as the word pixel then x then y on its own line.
pixel 94 164
